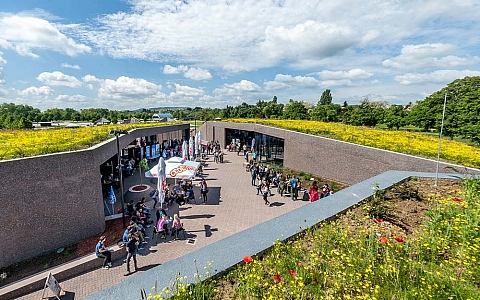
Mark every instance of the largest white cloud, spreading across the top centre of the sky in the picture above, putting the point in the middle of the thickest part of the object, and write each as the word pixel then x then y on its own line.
pixel 229 35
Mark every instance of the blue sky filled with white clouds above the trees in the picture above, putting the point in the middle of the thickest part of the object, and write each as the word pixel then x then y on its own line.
pixel 131 54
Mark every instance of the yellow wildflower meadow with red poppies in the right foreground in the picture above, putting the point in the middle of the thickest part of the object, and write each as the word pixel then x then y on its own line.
pixel 355 258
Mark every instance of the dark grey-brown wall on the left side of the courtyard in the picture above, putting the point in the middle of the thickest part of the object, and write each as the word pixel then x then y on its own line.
pixel 54 200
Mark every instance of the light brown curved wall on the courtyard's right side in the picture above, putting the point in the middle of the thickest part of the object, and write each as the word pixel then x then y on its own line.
pixel 328 158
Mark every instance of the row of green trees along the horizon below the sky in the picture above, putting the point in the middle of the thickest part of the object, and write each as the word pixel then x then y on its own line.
pixel 462 114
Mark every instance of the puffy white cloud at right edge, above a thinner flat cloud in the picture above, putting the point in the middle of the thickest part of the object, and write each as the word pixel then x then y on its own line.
pixel 427 56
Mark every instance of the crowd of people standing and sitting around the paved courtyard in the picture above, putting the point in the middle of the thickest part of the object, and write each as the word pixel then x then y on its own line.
pixel 263 179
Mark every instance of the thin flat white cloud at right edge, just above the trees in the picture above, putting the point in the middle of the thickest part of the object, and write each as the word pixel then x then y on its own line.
pixel 439 76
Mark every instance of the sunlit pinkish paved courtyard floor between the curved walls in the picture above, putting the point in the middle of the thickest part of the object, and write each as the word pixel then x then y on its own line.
pixel 233 206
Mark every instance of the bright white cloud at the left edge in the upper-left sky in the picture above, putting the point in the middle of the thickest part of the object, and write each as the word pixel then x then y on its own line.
pixel 24 33
